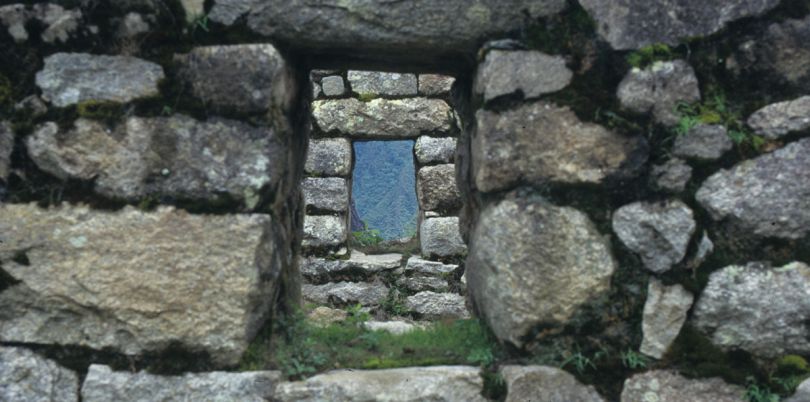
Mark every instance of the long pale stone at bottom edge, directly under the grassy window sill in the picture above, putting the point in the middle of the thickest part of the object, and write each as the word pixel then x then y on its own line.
pixel 437 383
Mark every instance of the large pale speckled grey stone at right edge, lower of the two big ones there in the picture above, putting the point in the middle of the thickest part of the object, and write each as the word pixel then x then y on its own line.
pixel 758 309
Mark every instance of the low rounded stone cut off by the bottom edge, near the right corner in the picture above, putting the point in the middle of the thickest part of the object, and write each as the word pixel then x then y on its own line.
pixel 668 386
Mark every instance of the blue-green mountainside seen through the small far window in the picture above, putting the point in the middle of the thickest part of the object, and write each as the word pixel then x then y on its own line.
pixel 384 187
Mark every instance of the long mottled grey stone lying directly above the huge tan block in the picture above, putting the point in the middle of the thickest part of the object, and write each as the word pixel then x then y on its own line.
pixel 175 156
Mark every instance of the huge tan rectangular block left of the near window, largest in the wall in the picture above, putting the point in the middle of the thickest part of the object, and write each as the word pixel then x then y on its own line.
pixel 203 282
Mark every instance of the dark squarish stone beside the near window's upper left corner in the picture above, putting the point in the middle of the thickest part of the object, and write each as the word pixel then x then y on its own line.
pixel 251 78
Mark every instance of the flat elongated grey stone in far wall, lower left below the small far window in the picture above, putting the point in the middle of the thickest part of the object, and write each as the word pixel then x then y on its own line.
pixel 346 293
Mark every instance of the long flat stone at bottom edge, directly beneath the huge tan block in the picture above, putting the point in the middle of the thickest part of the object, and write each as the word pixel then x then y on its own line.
pixel 102 384
